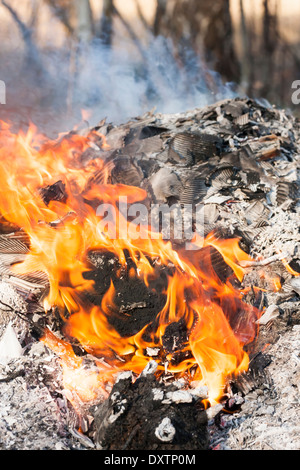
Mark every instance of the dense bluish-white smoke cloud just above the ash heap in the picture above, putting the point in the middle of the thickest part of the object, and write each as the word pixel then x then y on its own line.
pixel 119 85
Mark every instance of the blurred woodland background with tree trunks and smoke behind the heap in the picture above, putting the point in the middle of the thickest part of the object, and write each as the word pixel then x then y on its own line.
pixel 64 61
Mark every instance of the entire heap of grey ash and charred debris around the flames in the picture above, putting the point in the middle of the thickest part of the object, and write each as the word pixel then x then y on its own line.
pixel 238 161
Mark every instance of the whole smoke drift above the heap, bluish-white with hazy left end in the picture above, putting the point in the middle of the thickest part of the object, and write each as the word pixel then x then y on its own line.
pixel 116 83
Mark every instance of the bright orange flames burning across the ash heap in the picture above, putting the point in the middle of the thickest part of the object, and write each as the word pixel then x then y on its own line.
pixel 216 322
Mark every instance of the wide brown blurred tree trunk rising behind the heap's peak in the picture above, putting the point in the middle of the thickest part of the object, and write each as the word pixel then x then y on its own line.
pixel 206 26
